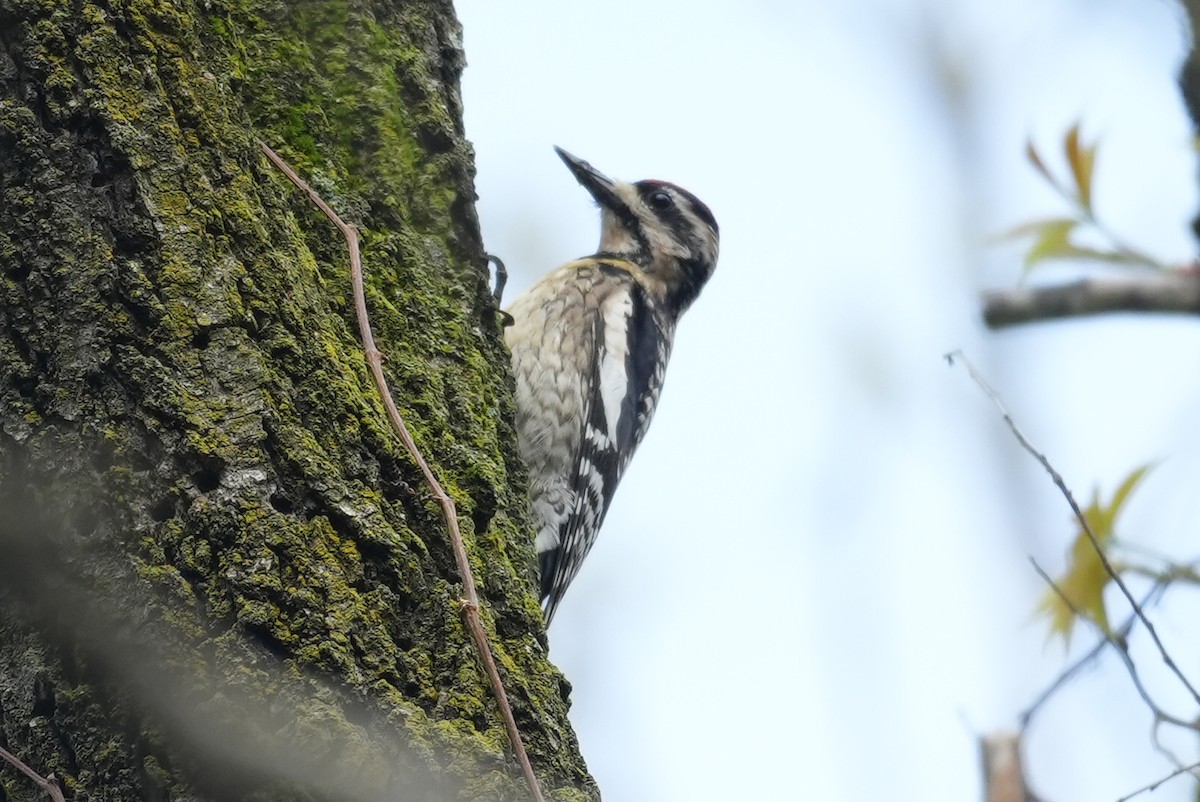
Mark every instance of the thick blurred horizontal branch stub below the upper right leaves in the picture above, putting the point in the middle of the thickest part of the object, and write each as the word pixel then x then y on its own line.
pixel 1161 292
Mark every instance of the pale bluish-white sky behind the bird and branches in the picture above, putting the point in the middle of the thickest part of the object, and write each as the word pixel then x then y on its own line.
pixel 814 582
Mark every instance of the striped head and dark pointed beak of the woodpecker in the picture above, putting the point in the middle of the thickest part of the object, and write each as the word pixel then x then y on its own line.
pixel 663 229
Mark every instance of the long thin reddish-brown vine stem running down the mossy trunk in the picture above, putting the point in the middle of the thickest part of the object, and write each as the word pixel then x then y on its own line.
pixel 375 361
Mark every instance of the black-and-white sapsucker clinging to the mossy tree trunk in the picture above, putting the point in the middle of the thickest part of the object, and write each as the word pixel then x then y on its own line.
pixel 590 349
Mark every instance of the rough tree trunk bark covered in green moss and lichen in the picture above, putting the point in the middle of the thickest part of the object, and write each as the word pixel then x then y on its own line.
pixel 220 576
